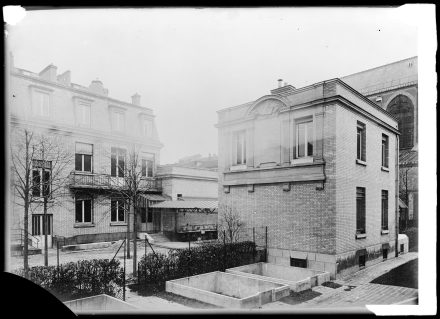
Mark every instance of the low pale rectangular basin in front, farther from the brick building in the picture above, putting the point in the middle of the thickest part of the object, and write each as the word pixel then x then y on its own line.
pixel 228 290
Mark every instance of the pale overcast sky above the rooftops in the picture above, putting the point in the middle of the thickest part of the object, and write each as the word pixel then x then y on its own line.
pixel 188 63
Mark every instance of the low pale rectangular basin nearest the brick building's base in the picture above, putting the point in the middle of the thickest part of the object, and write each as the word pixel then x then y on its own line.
pixel 298 279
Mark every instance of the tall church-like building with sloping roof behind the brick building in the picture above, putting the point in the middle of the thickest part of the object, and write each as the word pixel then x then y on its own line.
pixel 394 87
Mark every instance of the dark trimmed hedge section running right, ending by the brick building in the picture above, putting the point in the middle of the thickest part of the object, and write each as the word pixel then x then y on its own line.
pixel 155 270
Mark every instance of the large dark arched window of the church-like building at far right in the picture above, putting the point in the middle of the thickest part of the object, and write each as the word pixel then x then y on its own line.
pixel 402 108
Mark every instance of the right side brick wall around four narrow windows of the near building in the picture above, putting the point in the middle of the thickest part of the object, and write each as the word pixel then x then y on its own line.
pixel 351 175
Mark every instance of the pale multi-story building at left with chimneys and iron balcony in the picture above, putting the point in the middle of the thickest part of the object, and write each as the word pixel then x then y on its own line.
pixel 99 132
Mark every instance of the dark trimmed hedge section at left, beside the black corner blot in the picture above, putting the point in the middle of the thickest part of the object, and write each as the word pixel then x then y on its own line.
pixel 79 279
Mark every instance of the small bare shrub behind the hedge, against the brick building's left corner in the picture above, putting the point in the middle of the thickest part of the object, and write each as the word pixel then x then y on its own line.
pixel 230 224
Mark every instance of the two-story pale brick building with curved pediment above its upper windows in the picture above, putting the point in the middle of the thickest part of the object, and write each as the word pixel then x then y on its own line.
pixel 317 165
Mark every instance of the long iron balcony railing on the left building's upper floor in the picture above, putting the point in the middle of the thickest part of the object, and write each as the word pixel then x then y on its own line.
pixel 80 180
